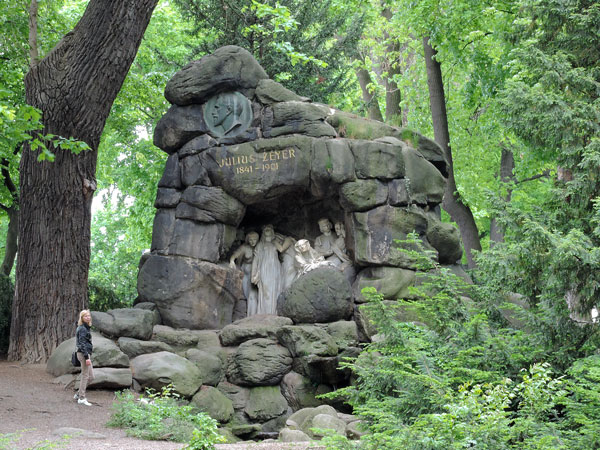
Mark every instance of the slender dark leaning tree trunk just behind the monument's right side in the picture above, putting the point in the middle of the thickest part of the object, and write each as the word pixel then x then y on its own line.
pixel 452 203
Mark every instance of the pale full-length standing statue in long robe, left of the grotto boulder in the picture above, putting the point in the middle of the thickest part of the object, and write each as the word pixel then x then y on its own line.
pixel 266 271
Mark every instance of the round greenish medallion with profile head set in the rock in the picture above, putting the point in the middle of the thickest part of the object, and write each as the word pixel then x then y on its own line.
pixel 228 114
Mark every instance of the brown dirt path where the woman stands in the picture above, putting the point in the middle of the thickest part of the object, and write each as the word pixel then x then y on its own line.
pixel 34 407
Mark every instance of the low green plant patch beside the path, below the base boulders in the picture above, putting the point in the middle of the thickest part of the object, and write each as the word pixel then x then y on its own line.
pixel 162 416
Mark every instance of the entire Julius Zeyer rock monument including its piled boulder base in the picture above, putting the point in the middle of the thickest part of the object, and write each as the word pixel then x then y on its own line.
pixel 250 160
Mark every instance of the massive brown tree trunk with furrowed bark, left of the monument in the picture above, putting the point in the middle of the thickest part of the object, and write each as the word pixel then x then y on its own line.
pixel 74 86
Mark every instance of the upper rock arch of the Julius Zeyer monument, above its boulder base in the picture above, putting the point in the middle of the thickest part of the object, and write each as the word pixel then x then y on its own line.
pixel 246 155
